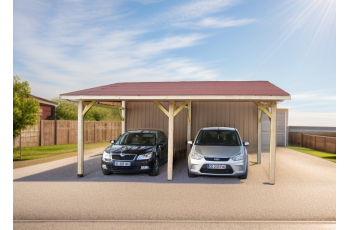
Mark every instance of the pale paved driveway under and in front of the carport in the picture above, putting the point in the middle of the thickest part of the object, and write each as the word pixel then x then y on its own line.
pixel 305 190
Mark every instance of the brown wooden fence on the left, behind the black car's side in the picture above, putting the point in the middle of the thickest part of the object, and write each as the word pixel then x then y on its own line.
pixel 49 132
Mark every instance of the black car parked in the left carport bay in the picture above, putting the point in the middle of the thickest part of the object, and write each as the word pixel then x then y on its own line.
pixel 138 151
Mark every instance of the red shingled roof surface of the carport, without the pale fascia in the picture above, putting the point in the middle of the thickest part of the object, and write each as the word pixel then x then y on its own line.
pixel 256 88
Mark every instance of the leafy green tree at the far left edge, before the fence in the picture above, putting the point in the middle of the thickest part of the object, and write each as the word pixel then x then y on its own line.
pixel 25 108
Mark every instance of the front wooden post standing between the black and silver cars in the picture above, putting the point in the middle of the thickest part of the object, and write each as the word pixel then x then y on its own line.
pixel 171 140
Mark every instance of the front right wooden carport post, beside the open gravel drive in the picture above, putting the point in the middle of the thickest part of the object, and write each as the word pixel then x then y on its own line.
pixel 273 141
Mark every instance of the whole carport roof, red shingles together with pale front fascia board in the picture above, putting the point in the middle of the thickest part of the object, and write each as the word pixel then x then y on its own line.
pixel 189 90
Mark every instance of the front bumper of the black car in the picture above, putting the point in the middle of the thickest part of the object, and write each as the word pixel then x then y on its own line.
pixel 135 166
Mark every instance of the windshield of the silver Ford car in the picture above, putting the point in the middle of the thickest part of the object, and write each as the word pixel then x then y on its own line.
pixel 218 137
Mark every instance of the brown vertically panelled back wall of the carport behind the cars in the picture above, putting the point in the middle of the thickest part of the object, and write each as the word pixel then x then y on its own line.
pixel 240 115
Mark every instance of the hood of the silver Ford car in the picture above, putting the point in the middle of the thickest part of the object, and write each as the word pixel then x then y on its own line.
pixel 217 151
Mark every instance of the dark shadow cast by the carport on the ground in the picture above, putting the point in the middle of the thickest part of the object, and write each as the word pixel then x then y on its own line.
pixel 93 173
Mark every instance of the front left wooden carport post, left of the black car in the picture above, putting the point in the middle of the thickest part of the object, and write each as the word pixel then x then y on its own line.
pixel 80 140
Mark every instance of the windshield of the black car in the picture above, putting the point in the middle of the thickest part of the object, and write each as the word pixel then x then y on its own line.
pixel 144 139
